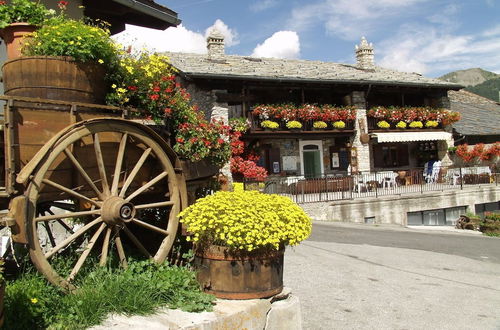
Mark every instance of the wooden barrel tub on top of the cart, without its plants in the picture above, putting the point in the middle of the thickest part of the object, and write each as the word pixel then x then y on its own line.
pixel 54 78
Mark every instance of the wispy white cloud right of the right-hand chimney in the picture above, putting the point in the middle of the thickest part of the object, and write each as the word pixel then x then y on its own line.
pixel 428 49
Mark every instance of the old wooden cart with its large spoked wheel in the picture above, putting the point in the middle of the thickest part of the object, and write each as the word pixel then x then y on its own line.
pixel 85 185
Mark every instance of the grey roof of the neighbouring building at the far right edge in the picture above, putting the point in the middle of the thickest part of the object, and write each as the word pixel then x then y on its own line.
pixel 480 116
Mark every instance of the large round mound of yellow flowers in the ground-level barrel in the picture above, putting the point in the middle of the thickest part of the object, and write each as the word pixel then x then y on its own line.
pixel 246 220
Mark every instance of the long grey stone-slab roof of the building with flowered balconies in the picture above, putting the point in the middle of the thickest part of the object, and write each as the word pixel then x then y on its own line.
pixel 253 68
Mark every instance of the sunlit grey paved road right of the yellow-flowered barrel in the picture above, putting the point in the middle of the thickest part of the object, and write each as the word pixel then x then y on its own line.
pixel 366 277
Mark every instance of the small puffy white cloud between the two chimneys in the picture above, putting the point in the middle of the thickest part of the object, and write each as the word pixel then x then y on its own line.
pixel 282 44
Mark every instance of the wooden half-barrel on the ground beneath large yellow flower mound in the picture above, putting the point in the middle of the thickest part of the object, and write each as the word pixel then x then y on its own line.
pixel 243 276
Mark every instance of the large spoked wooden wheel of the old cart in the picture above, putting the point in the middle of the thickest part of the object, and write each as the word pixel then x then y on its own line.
pixel 105 192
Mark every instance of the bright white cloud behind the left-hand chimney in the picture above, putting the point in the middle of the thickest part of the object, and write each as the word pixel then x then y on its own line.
pixel 174 39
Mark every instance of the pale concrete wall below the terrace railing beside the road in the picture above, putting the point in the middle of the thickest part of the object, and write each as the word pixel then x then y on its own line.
pixel 394 209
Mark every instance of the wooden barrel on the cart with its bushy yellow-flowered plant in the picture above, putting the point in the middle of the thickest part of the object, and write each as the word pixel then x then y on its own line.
pixel 81 51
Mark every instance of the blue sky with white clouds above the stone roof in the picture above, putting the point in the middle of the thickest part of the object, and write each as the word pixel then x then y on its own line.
pixel 431 37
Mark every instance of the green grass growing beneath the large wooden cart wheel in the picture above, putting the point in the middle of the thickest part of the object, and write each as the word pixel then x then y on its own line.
pixel 33 303
